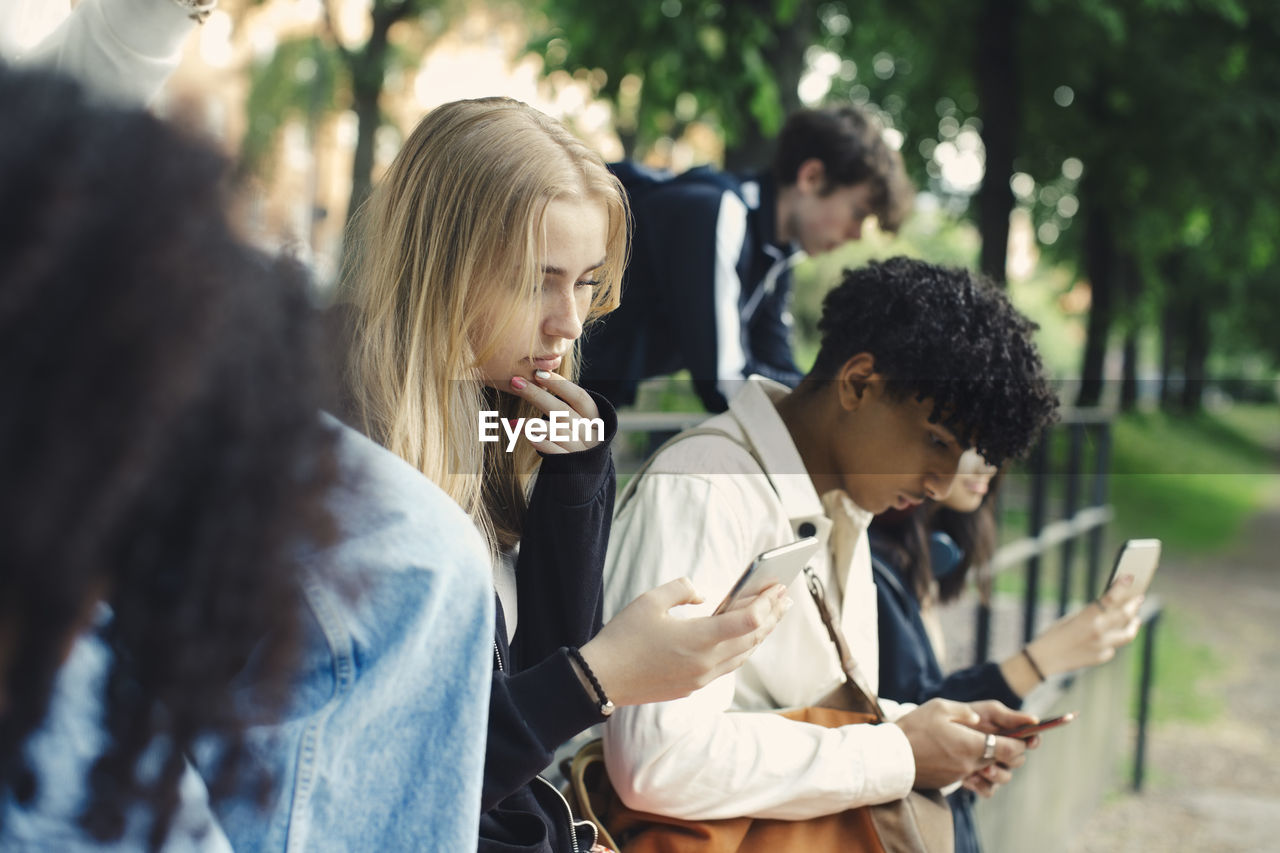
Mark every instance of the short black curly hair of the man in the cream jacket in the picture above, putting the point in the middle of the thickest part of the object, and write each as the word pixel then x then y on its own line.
pixel 949 336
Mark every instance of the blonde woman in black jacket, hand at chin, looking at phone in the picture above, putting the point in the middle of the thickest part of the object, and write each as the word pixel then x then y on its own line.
pixel 495 238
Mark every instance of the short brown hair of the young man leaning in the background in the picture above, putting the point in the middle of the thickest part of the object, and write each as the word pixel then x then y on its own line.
pixel 852 147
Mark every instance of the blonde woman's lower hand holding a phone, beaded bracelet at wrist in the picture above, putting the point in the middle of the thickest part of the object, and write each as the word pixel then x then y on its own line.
pixel 647 655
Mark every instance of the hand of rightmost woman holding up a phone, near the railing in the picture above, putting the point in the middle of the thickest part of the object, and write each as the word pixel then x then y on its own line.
pixel 1091 636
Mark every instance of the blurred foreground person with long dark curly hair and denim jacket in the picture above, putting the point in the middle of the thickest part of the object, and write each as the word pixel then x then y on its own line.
pixel 202 574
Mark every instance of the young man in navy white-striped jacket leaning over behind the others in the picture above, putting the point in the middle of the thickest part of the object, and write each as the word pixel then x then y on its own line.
pixel 708 286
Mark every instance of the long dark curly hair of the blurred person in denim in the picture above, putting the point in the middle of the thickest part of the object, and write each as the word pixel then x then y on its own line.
pixel 159 440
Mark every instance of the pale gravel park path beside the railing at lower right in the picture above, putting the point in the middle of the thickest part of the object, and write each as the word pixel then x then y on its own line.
pixel 1214 787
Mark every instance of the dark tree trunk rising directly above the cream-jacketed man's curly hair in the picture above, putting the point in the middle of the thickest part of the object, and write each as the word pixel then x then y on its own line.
pixel 998 98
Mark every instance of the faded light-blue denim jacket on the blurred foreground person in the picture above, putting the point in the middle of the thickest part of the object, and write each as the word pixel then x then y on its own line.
pixel 382 747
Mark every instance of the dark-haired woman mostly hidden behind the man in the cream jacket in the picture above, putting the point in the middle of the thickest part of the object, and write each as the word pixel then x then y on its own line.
pixel 922 559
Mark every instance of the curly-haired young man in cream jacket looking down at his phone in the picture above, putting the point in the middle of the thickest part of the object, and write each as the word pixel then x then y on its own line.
pixel 918 363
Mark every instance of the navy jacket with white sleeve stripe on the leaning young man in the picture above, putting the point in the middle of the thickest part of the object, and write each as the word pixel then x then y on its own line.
pixel 707 289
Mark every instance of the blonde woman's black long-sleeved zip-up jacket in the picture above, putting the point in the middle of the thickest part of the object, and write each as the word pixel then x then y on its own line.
pixel 537 701
